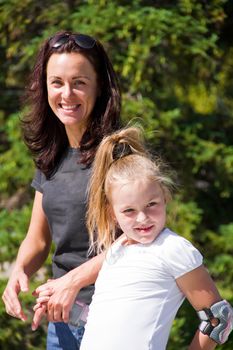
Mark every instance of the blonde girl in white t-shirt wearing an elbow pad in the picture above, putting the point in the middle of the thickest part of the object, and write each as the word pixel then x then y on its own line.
pixel 148 270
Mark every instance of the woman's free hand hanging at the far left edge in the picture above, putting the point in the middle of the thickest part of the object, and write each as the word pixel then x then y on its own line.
pixel 18 282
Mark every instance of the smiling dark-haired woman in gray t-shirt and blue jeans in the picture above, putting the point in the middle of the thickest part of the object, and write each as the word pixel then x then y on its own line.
pixel 74 101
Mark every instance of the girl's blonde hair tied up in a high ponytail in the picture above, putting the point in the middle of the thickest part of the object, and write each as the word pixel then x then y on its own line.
pixel 120 157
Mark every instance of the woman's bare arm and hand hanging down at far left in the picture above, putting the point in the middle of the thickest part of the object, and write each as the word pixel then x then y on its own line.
pixel 32 253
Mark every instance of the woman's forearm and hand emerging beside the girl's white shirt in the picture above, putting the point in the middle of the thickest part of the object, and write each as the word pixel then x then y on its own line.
pixel 60 293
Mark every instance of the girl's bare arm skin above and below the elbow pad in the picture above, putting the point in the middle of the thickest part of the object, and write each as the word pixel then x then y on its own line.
pixel 200 290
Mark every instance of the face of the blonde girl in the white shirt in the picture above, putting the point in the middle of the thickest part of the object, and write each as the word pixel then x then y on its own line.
pixel 139 208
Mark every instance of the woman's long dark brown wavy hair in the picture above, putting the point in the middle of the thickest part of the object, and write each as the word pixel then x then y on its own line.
pixel 43 132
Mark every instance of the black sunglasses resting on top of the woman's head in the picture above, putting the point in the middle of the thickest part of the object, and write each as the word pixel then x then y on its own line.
pixel 82 40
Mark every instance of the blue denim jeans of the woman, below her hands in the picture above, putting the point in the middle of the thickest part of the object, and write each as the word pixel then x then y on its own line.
pixel 63 336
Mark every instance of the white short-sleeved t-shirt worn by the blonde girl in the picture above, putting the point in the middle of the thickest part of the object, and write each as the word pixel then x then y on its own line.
pixel 136 297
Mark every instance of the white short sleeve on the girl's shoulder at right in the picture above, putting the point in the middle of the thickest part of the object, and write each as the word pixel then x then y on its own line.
pixel 180 256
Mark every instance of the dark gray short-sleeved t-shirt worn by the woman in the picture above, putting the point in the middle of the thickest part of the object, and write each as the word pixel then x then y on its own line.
pixel 64 203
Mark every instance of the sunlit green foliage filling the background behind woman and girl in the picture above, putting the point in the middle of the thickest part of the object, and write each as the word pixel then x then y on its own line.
pixel 174 62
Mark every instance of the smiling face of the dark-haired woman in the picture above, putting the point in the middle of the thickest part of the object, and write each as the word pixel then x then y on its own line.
pixel 72 90
